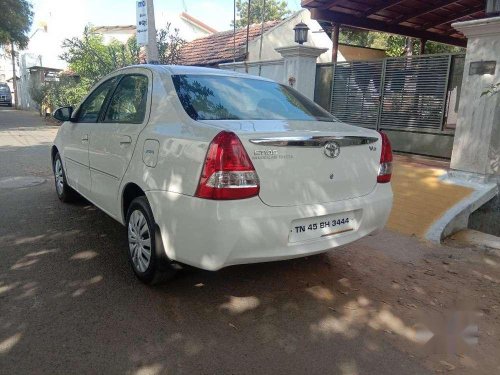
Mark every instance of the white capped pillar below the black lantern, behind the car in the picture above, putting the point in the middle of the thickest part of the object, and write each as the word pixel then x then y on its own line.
pixel 300 67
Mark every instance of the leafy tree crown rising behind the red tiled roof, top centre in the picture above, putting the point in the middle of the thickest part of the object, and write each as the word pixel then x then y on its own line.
pixel 274 10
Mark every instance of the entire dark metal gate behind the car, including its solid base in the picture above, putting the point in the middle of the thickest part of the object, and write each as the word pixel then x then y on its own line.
pixel 413 99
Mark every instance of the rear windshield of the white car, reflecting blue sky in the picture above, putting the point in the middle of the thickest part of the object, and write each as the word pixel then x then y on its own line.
pixel 212 97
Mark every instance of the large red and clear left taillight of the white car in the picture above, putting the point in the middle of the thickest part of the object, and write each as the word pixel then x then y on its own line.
pixel 228 172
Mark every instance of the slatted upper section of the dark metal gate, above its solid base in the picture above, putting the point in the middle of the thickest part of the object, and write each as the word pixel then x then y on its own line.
pixel 393 93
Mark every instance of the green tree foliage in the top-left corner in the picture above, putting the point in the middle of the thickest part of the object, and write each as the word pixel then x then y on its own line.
pixel 16 18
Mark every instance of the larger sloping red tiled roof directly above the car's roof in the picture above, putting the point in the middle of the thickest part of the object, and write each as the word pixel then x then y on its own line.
pixel 218 48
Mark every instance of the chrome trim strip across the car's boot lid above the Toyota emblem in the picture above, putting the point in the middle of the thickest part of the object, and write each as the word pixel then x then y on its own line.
pixel 314 141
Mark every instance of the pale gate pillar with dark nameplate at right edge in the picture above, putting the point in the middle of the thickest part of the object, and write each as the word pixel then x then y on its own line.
pixel 476 146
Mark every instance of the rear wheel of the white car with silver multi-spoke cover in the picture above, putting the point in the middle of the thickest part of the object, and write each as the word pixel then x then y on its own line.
pixel 144 240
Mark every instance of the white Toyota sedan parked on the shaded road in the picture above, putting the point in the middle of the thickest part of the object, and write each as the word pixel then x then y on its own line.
pixel 213 168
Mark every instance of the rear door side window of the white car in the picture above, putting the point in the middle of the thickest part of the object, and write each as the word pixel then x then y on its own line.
pixel 128 104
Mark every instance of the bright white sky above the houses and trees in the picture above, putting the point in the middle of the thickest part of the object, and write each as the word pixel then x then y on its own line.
pixel 67 18
